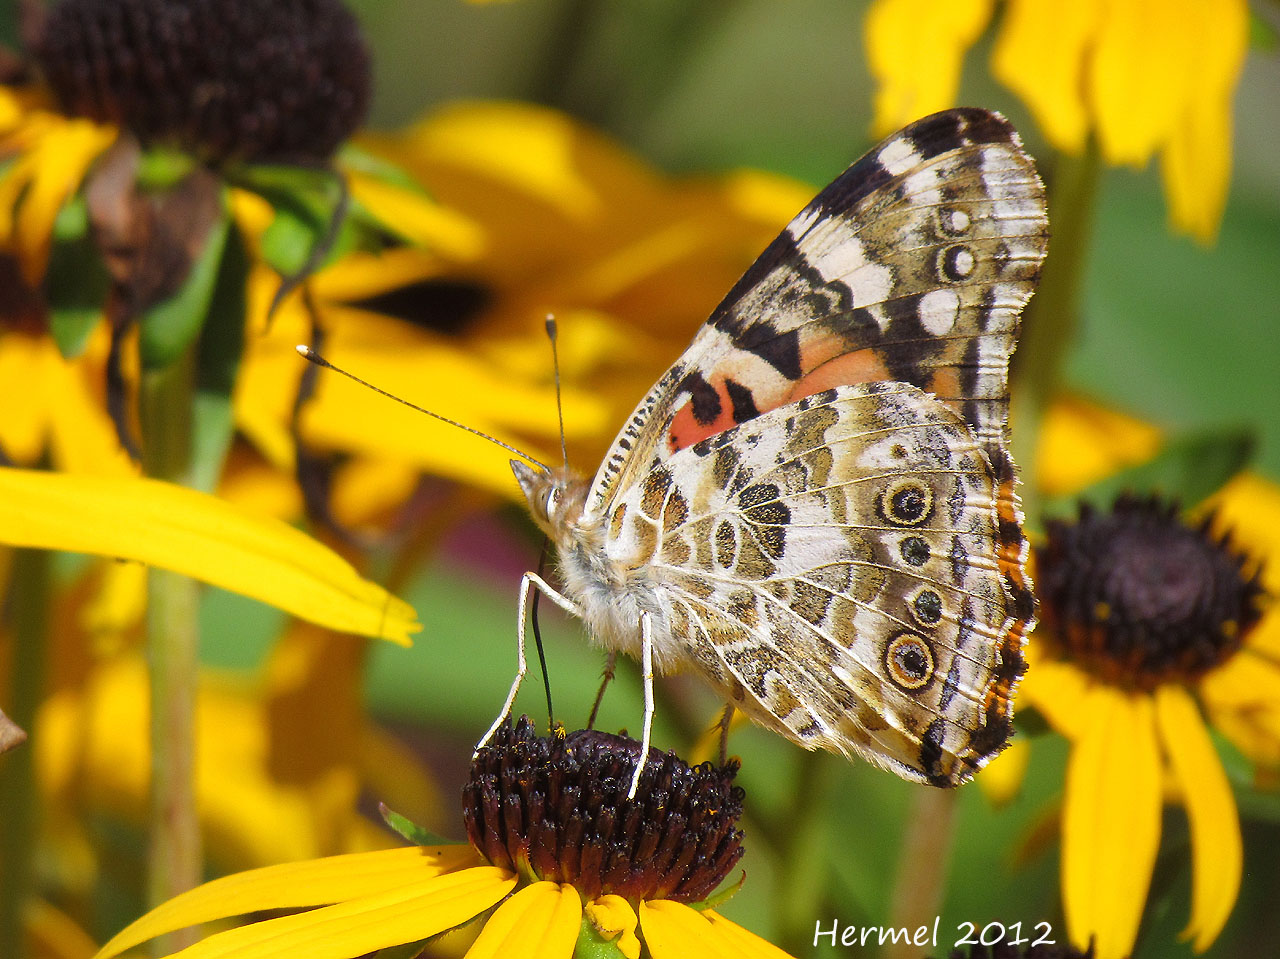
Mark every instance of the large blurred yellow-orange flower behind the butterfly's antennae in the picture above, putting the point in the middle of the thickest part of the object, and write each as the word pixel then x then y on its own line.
pixel 569 225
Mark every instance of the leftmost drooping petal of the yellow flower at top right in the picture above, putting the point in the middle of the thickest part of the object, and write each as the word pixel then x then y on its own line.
pixel 916 52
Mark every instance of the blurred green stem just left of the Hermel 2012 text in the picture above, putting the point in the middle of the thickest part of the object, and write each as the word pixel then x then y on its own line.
pixel 803 855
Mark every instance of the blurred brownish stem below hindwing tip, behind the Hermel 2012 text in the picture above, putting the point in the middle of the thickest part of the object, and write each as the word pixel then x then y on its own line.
pixel 922 867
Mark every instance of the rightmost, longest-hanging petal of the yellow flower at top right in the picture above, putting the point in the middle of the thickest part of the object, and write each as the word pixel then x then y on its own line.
pixel 1196 162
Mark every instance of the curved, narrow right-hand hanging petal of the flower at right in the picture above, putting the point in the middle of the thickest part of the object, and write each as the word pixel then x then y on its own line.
pixel 1217 846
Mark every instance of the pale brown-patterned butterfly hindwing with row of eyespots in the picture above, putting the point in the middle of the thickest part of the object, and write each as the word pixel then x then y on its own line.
pixel 830 569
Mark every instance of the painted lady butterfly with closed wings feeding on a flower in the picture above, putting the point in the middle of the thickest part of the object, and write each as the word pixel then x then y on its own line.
pixel 815 509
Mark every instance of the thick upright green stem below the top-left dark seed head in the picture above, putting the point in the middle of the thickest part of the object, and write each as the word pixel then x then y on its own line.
pixel 173 650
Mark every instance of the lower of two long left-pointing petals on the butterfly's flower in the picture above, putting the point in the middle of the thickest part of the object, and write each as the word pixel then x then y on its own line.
pixel 404 915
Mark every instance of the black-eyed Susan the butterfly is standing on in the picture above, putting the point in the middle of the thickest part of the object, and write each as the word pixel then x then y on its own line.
pixel 560 864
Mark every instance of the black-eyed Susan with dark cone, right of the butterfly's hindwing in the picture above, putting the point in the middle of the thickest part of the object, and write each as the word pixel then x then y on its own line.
pixel 1150 627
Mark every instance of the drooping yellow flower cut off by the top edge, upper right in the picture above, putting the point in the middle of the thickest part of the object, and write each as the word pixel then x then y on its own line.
pixel 1144 81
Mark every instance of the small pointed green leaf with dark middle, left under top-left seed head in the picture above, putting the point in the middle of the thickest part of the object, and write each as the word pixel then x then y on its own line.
pixel 77 282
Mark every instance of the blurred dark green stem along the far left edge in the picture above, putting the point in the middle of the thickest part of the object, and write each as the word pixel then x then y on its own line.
pixel 29 605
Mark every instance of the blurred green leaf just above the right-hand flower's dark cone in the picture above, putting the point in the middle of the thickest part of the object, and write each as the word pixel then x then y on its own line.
pixel 1188 469
